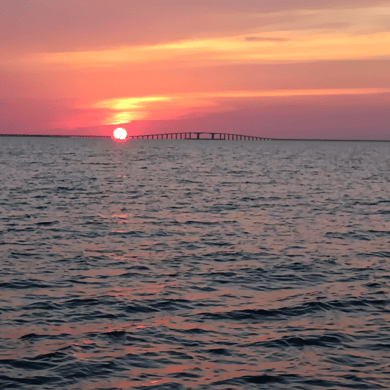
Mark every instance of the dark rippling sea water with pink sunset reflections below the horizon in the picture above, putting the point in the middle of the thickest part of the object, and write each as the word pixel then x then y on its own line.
pixel 194 265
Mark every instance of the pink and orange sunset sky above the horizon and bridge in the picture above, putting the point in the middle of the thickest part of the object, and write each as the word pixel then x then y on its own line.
pixel 280 69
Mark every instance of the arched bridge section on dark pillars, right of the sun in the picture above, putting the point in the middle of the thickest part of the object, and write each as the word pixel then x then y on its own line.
pixel 200 135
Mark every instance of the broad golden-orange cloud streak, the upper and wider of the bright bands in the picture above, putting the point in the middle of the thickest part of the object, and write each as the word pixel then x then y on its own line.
pixel 303 46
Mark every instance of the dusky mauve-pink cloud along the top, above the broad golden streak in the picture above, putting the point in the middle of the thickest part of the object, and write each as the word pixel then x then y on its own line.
pixel 66 25
